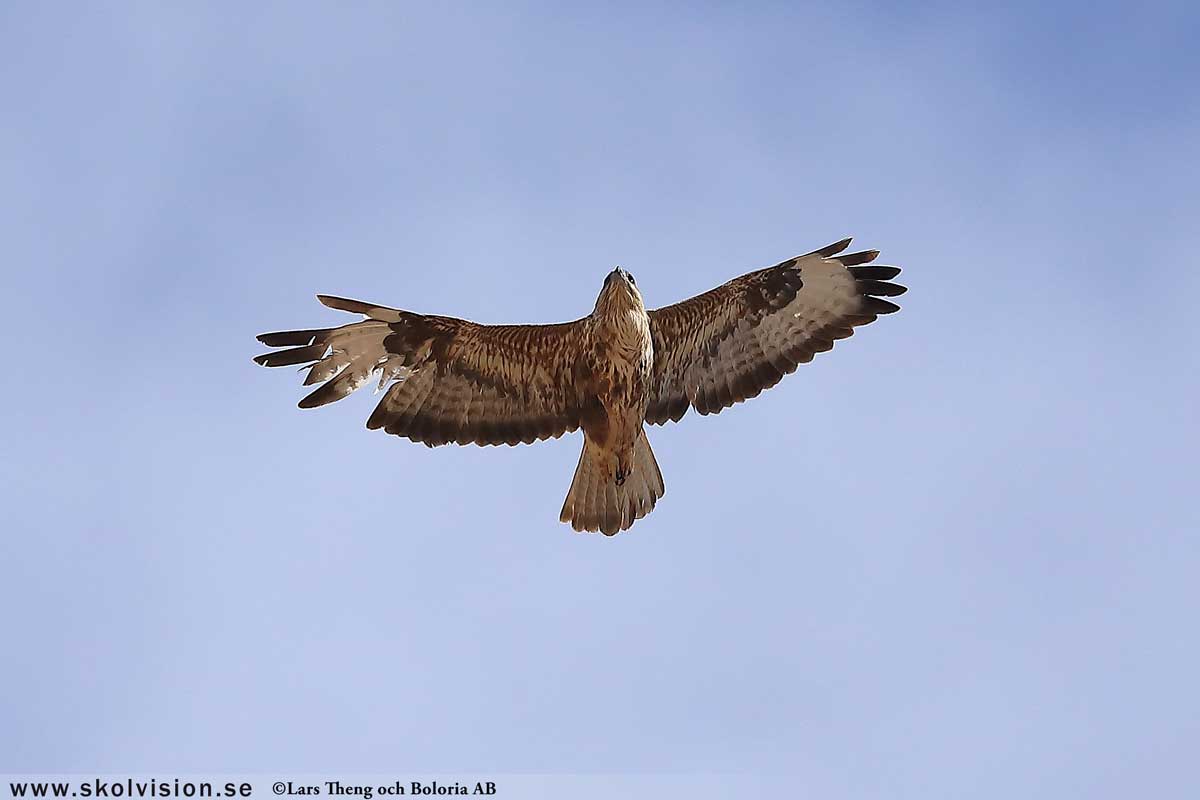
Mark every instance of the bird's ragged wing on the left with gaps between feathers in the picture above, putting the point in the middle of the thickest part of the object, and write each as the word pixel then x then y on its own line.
pixel 452 381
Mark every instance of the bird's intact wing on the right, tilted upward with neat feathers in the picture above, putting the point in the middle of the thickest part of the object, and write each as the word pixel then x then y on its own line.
pixel 729 345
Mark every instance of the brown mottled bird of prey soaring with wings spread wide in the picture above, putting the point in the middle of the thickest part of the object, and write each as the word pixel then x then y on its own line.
pixel 455 382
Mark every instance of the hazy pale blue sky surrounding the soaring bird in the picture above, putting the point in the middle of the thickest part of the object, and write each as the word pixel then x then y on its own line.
pixel 958 556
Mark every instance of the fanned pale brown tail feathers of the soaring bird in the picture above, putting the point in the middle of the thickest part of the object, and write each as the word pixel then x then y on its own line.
pixel 596 503
